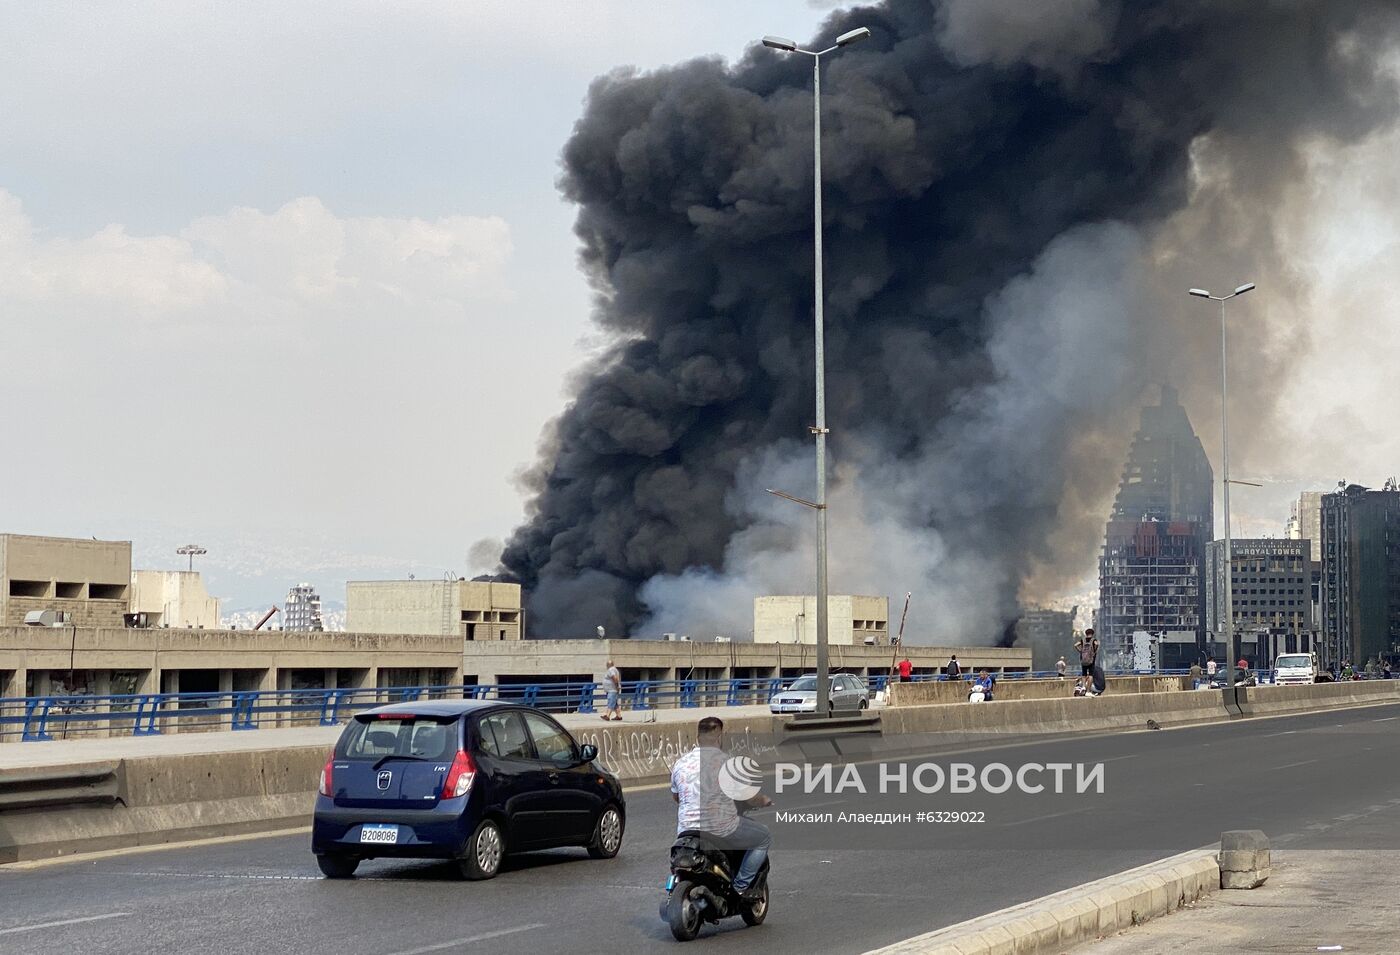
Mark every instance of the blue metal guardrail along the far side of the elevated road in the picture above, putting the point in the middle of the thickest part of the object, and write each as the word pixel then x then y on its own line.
pixel 148 715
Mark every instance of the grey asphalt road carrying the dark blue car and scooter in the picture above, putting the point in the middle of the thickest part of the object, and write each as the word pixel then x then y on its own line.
pixel 1315 781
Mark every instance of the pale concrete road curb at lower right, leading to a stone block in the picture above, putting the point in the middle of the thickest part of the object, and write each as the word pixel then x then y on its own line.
pixel 1048 926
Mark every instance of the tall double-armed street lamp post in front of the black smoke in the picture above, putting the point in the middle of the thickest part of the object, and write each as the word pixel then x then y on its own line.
pixel 824 697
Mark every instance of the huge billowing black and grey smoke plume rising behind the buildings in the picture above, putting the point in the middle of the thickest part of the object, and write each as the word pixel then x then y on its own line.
pixel 1013 200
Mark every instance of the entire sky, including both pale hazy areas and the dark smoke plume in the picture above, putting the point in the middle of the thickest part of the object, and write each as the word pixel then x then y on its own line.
pixel 306 277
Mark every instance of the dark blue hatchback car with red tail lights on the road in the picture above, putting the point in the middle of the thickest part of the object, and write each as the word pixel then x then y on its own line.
pixel 468 781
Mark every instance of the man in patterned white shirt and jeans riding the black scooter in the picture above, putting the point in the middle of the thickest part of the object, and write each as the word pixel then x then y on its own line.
pixel 703 806
